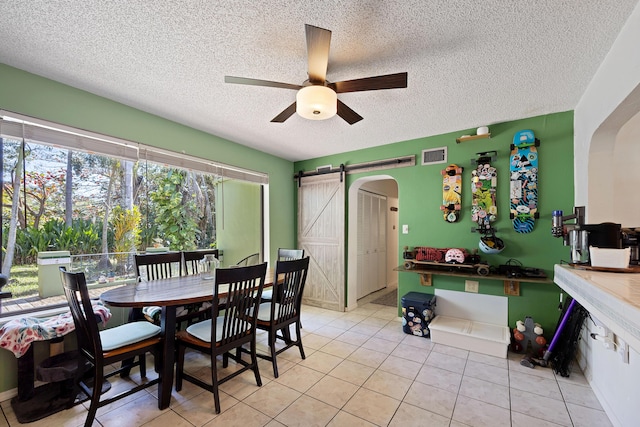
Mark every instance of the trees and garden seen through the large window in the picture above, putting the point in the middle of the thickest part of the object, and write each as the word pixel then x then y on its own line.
pixel 173 207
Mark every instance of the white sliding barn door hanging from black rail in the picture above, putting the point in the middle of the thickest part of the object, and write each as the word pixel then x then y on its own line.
pixel 321 234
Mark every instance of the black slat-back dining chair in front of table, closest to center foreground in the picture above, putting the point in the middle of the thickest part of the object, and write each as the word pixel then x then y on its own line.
pixel 227 330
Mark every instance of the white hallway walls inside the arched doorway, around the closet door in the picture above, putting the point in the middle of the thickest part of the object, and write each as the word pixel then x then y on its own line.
pixel 383 185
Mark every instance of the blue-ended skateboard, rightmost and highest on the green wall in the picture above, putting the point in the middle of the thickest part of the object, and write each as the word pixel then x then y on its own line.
pixel 523 167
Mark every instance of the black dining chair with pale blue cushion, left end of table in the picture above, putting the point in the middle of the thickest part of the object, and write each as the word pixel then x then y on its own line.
pixel 103 348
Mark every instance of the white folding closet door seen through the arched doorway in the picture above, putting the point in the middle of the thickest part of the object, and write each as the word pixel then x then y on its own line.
pixel 372 243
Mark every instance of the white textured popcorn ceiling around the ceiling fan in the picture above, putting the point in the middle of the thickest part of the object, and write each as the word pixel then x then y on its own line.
pixel 470 63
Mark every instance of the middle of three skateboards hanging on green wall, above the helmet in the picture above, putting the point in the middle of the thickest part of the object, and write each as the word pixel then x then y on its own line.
pixel 484 179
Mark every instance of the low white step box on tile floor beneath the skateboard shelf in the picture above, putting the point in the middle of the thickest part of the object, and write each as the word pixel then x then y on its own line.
pixel 485 338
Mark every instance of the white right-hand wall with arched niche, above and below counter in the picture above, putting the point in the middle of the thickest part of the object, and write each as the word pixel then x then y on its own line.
pixel 602 143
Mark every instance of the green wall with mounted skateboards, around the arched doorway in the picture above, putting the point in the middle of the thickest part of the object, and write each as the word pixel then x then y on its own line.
pixel 420 196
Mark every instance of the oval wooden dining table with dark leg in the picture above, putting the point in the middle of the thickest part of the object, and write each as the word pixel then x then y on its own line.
pixel 169 294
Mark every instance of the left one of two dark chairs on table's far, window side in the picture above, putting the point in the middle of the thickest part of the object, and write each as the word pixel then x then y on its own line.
pixel 154 266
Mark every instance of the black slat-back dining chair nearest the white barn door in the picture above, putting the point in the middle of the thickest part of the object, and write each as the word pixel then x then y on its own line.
pixel 284 310
